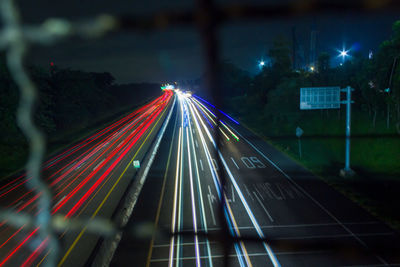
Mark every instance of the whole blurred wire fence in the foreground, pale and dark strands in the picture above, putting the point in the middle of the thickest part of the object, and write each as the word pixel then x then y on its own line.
pixel 207 18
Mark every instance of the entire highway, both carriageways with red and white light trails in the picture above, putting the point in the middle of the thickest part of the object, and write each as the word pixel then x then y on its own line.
pixel 245 203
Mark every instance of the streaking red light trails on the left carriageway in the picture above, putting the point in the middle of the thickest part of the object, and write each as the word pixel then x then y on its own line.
pixel 78 172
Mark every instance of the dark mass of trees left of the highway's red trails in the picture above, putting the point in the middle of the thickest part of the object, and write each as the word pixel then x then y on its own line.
pixel 69 101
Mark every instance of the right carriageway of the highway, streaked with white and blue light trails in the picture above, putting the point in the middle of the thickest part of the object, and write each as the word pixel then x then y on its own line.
pixel 277 212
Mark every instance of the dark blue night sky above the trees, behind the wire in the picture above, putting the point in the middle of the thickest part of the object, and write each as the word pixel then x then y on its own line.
pixel 176 54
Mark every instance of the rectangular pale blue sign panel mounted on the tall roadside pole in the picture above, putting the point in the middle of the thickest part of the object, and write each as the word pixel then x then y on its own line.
pixel 319 98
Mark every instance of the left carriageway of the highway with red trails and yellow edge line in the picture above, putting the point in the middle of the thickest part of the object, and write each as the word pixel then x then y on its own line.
pixel 88 180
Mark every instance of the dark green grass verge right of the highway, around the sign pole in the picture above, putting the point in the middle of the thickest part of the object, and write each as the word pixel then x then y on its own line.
pixel 375 158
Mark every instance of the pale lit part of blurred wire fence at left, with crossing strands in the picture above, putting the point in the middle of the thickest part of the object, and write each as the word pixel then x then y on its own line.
pixel 15 39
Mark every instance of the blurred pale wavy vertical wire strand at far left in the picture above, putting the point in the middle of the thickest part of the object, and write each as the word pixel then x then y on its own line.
pixel 16 46
